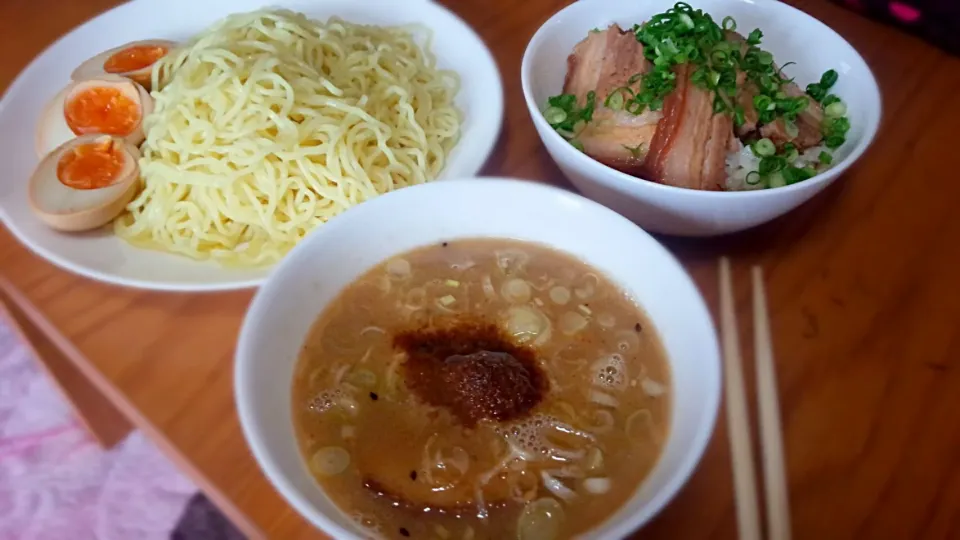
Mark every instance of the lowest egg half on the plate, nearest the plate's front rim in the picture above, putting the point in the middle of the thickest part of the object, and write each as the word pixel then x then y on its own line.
pixel 85 183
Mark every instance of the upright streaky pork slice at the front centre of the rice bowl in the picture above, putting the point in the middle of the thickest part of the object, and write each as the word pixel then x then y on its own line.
pixel 691 143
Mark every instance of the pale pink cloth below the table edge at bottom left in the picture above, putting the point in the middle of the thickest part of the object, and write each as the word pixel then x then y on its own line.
pixel 56 483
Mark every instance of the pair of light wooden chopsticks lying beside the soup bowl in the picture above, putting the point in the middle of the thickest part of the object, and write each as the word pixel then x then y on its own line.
pixel 738 418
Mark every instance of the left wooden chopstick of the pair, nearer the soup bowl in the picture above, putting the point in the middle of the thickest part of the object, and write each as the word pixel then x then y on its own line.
pixel 738 419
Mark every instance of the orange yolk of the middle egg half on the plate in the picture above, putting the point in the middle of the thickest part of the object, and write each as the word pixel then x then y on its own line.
pixel 102 109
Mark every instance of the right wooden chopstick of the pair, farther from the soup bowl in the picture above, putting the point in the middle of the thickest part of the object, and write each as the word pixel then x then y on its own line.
pixel 771 434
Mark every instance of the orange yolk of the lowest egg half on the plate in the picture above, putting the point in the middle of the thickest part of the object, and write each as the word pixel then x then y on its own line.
pixel 92 165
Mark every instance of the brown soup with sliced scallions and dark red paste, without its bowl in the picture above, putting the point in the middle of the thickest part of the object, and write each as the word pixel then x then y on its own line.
pixel 481 388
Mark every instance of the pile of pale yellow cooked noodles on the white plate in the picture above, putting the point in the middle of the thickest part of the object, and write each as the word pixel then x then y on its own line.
pixel 269 124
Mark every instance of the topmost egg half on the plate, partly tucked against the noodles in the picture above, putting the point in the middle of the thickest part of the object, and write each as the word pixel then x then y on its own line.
pixel 134 60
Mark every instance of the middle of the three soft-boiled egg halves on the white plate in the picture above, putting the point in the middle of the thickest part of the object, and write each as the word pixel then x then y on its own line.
pixel 107 104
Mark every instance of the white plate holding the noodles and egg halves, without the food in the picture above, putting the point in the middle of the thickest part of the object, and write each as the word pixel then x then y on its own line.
pixel 102 256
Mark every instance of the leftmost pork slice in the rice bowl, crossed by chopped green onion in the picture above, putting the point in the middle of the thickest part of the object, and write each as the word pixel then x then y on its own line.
pixel 603 62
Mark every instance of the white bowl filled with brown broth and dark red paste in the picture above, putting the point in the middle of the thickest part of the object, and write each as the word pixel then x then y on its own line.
pixel 483 358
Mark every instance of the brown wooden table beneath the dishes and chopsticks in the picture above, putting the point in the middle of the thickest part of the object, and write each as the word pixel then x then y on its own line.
pixel 865 319
